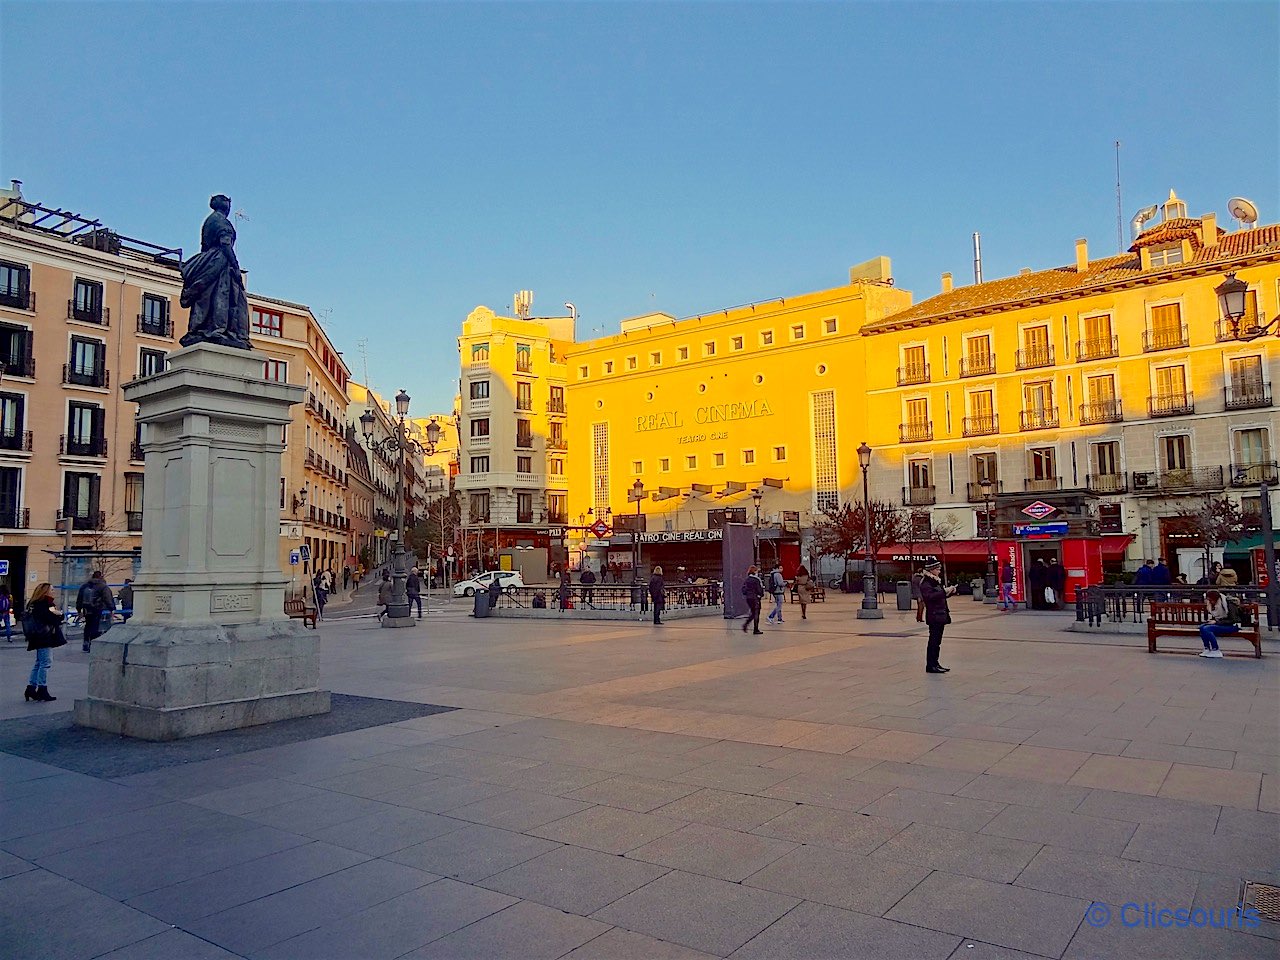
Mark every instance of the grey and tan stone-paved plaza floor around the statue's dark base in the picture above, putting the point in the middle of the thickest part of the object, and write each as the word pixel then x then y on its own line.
pixel 616 792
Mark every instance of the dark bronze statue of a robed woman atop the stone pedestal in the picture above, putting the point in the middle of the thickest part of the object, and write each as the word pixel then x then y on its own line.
pixel 213 286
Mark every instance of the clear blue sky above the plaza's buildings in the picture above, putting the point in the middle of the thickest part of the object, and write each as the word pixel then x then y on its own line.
pixel 401 163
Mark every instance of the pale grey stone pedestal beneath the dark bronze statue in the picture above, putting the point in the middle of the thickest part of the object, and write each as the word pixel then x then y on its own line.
pixel 209 647
